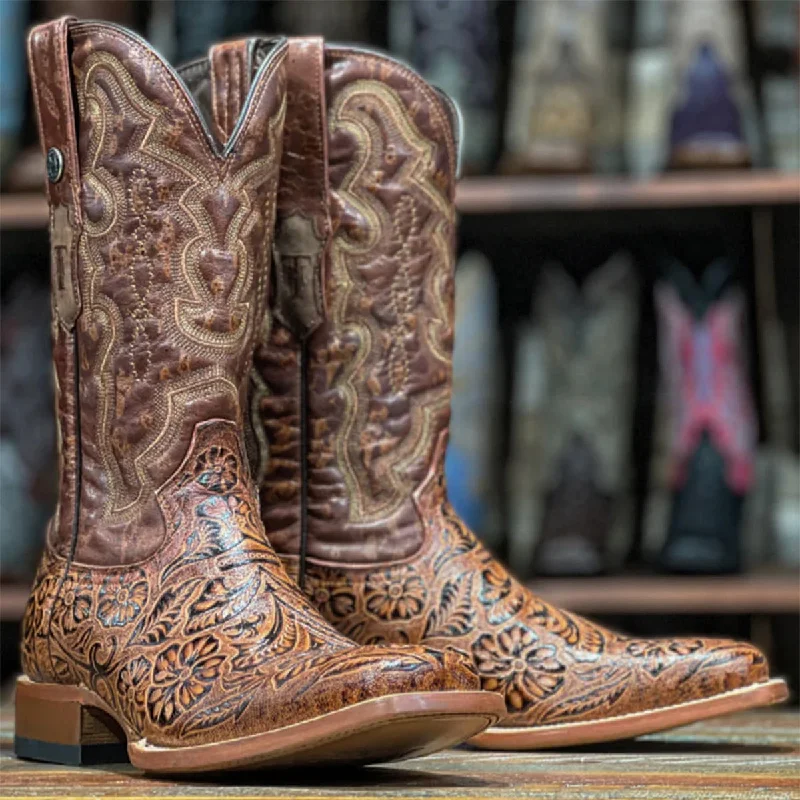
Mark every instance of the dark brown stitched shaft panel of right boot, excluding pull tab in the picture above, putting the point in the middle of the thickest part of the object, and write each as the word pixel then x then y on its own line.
pixel 378 384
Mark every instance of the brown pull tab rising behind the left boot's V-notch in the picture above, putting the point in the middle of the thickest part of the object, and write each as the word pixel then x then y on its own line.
pixel 231 70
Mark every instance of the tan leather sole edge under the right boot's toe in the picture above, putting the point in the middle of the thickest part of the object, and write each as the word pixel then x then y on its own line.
pixel 570 734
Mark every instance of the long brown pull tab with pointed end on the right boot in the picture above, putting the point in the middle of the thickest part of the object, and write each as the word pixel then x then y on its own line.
pixel 303 225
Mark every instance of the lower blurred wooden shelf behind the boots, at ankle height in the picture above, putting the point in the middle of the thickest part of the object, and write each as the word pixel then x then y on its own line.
pixel 736 594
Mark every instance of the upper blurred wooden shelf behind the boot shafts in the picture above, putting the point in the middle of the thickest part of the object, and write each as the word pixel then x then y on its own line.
pixel 499 195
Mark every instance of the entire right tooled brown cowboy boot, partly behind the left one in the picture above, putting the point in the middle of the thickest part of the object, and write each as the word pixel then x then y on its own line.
pixel 351 399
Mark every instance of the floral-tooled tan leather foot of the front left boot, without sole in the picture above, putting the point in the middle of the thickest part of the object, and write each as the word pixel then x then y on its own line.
pixel 211 639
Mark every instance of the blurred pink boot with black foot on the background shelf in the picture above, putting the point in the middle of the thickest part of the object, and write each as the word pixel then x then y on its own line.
pixel 713 421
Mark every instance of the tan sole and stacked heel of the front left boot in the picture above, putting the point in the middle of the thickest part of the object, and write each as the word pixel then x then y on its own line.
pixel 71 725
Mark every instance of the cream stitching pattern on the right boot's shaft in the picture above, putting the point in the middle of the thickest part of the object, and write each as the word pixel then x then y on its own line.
pixel 351 112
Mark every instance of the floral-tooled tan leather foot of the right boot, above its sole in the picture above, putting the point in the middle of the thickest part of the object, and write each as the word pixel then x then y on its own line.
pixel 551 666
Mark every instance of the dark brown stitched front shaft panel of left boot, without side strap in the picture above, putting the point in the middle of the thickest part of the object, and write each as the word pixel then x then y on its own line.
pixel 172 226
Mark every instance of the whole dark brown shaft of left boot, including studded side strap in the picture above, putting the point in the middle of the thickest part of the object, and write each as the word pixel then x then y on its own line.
pixel 161 235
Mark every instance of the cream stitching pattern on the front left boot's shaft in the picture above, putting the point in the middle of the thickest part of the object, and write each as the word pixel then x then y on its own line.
pixel 185 288
